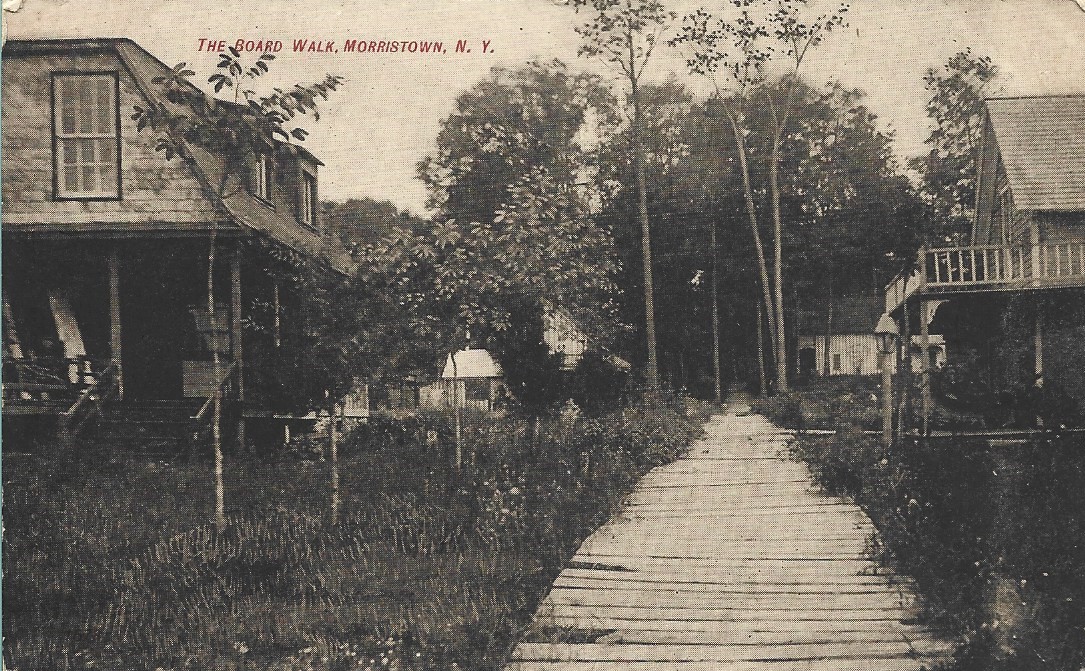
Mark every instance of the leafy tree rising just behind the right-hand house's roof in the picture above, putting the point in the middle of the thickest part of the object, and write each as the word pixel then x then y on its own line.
pixel 959 111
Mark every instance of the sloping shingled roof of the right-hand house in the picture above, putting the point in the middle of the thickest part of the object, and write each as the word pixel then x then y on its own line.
pixel 1042 141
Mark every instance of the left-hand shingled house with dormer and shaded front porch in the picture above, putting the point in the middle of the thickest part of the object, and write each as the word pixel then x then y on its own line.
pixel 106 263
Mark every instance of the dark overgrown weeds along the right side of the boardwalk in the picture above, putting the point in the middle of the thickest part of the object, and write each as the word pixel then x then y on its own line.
pixel 965 520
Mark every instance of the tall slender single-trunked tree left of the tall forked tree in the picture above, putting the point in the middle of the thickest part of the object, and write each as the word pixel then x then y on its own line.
pixel 626 33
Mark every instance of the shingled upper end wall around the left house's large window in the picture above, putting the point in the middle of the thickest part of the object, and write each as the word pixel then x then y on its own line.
pixel 154 189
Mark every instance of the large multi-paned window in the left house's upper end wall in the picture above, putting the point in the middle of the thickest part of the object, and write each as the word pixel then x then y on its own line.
pixel 87 143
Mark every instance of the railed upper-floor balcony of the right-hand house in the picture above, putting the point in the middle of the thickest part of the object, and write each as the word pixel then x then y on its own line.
pixel 971 270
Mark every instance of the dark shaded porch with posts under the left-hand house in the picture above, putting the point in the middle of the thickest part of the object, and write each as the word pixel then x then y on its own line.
pixel 96 322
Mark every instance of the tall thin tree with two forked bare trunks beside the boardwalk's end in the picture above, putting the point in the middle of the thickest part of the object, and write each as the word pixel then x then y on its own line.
pixel 738 48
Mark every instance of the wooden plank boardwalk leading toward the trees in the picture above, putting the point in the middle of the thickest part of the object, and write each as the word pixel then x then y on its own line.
pixel 729 560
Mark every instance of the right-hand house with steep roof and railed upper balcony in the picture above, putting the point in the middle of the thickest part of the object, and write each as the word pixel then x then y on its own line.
pixel 1015 297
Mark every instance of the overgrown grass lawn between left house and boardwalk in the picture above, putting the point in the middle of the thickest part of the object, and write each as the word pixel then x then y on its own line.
pixel 111 561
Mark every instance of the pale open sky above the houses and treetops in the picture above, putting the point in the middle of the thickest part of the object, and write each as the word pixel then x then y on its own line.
pixel 373 133
